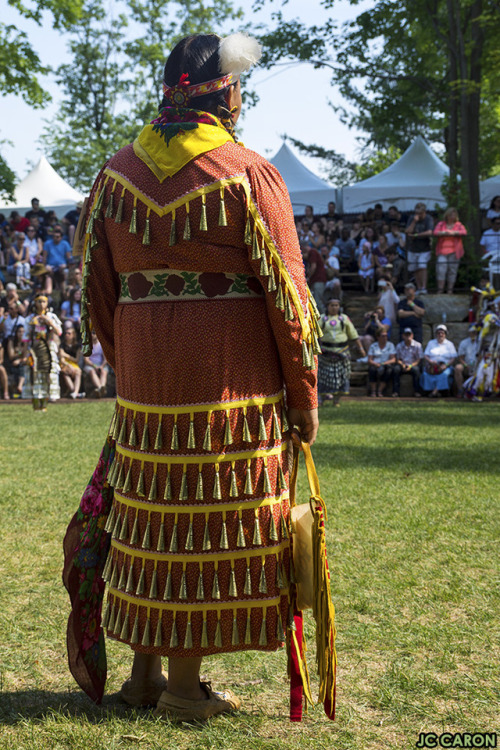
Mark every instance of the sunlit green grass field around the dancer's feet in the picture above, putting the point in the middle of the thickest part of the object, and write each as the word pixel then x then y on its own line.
pixel 412 492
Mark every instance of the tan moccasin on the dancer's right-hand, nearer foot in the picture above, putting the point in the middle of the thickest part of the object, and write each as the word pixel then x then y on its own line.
pixel 180 709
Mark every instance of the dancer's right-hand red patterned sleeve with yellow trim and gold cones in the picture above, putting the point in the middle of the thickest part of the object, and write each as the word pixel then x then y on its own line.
pixel 276 237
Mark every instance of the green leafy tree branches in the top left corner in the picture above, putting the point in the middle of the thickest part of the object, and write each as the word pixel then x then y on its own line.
pixel 20 65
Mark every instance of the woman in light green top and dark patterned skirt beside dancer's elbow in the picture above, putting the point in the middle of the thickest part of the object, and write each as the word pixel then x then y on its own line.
pixel 334 362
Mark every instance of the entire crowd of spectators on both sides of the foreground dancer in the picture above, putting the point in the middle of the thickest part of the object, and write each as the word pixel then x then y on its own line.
pixel 387 252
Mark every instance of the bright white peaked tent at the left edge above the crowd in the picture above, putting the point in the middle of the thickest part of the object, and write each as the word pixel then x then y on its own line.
pixel 43 183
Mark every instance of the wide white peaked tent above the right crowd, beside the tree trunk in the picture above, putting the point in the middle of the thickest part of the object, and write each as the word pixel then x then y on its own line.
pixel 416 176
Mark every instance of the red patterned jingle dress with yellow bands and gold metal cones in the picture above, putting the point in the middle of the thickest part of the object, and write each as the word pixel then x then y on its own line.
pixel 194 282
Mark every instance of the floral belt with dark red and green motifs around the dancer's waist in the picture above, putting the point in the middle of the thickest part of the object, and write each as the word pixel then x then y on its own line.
pixel 161 284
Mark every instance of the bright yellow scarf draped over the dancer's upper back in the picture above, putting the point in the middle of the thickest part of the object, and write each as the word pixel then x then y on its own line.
pixel 165 161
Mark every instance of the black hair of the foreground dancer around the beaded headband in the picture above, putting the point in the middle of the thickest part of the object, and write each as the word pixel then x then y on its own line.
pixel 198 56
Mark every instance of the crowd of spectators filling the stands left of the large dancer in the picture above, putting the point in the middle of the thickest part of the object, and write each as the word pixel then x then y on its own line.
pixel 36 251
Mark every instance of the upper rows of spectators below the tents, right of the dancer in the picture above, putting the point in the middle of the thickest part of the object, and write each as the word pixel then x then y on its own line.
pixel 390 246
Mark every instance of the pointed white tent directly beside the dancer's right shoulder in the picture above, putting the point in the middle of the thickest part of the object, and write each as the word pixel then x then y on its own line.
pixel 305 188
